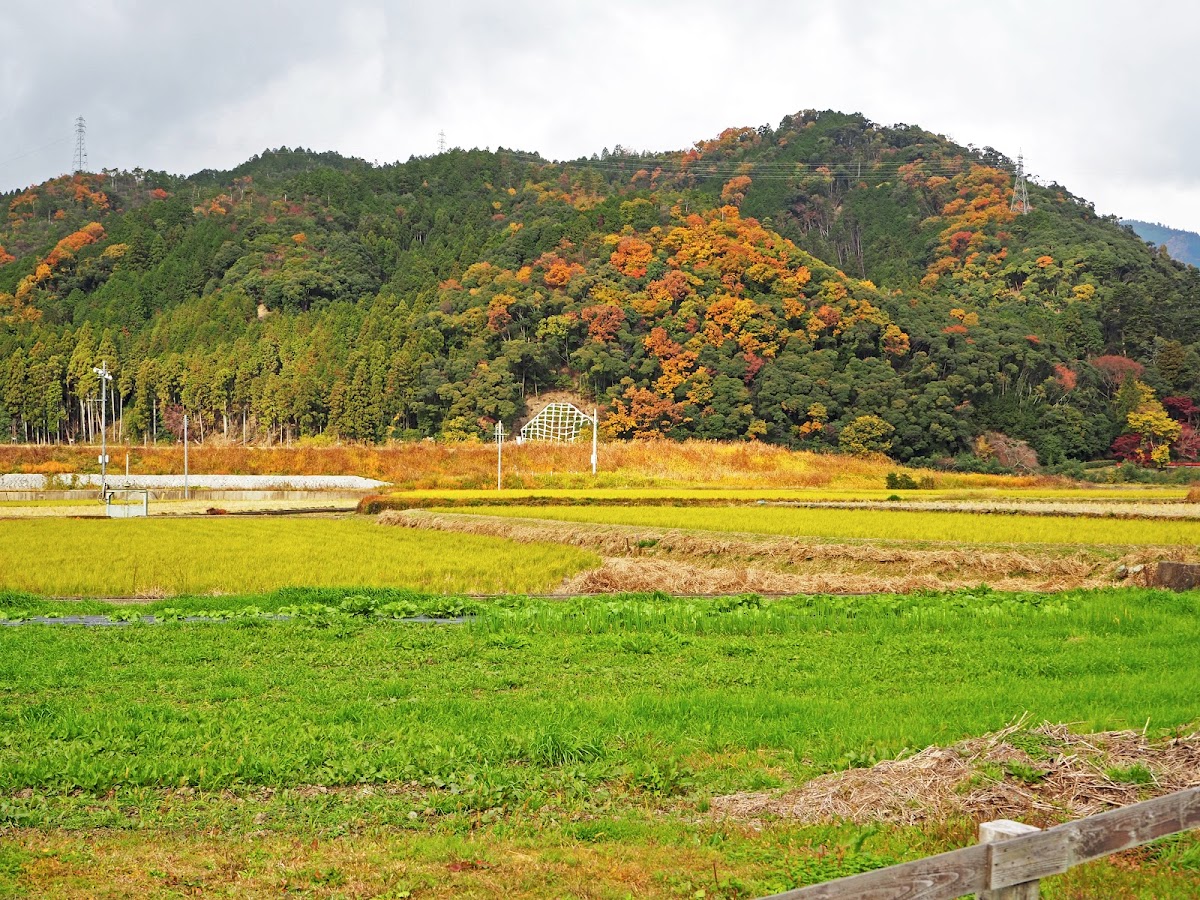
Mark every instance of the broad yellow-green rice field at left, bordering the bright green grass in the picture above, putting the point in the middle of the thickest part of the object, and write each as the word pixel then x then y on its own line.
pixel 239 555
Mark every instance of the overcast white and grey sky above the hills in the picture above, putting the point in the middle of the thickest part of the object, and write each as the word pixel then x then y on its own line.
pixel 1101 95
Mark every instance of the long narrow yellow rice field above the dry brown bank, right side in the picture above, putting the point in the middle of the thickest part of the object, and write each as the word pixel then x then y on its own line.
pixel 875 524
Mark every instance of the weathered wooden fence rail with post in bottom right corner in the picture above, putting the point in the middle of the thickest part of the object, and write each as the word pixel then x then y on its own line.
pixel 1013 857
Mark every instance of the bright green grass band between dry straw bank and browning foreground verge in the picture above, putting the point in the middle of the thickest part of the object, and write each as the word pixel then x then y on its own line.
pixel 529 683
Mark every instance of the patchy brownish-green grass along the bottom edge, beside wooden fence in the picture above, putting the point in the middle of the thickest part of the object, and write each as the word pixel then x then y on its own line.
pixel 370 848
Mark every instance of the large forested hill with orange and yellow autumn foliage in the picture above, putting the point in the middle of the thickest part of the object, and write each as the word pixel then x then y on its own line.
pixel 829 283
